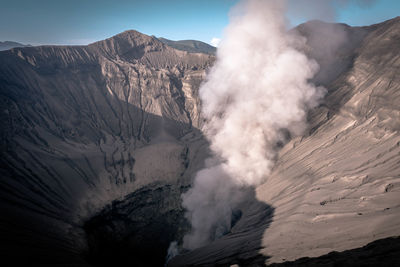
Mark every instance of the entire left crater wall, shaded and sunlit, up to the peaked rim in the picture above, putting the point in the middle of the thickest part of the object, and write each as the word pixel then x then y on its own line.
pixel 83 126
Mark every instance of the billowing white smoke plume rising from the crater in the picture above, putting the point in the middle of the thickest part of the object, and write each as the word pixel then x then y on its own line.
pixel 258 86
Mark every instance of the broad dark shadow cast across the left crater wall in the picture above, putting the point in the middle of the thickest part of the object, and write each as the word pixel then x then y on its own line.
pixel 55 127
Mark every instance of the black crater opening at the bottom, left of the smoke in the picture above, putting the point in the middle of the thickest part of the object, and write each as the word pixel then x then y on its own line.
pixel 138 229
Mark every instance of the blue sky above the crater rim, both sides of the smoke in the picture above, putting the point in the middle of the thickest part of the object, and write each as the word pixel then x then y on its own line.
pixel 85 21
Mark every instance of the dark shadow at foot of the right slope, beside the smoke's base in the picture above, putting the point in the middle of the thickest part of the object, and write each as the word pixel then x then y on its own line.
pixel 241 245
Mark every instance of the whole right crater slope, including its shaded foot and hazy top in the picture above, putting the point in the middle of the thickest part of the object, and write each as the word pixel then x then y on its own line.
pixel 336 188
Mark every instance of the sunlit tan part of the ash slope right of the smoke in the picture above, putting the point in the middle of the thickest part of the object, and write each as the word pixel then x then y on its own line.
pixel 343 180
